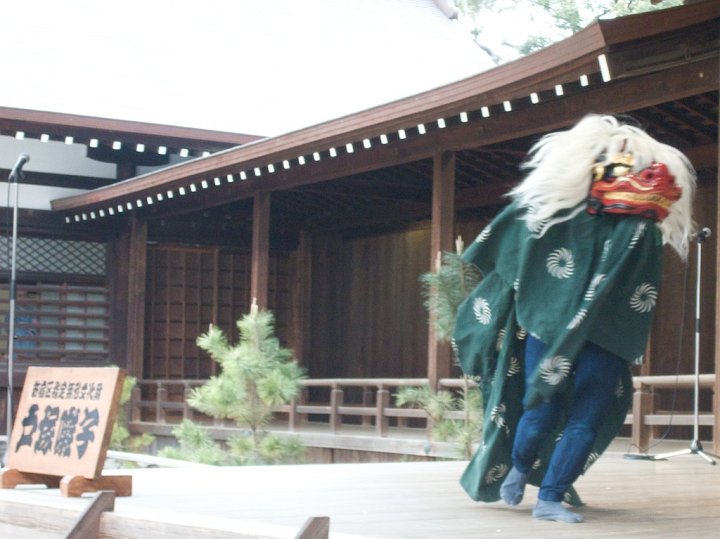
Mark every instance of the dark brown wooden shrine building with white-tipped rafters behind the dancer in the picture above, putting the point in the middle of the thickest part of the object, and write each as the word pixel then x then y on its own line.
pixel 330 226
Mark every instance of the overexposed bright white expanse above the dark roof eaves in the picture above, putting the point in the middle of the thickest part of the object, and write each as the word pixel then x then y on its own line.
pixel 197 63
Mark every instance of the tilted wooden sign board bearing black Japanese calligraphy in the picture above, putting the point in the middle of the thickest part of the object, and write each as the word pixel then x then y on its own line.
pixel 65 419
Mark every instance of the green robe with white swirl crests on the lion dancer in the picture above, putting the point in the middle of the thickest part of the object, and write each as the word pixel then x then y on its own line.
pixel 589 278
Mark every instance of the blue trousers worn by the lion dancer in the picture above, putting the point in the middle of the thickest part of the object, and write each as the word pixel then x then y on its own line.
pixel 597 374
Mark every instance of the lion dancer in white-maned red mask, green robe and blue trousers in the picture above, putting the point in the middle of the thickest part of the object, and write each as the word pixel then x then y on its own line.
pixel 571 274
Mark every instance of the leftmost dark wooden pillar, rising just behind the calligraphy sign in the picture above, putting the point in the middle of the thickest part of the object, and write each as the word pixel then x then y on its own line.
pixel 137 273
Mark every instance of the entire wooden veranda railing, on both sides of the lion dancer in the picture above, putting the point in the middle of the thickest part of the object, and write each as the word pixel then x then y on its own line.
pixel 324 401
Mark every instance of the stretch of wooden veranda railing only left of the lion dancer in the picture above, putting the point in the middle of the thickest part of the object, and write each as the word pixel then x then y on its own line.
pixel 165 402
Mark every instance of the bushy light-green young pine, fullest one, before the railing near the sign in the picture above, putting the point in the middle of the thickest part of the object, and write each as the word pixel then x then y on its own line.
pixel 257 374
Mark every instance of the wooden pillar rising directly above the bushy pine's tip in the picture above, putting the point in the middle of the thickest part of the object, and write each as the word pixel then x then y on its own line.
pixel 260 249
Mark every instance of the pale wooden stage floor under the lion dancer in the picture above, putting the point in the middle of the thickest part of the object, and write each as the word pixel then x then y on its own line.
pixel 677 498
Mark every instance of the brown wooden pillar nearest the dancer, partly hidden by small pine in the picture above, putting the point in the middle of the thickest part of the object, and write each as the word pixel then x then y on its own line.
pixel 441 239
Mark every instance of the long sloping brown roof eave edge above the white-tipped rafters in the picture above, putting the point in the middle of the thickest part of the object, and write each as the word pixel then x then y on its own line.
pixel 557 64
